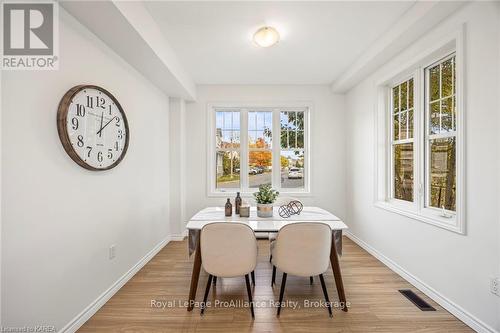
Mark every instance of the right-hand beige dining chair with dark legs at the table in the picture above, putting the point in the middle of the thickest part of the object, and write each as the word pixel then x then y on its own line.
pixel 302 249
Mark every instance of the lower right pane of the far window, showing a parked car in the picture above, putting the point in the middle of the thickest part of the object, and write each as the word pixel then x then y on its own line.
pixel 292 169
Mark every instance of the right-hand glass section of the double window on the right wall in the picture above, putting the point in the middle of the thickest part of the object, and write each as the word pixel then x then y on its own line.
pixel 441 134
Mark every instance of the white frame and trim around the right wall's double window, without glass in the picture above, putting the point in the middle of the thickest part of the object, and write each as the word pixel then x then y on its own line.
pixel 450 44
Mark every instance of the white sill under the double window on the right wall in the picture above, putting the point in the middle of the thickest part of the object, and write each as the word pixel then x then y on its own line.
pixel 448 223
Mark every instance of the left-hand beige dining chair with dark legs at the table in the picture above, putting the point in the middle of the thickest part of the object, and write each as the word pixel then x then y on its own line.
pixel 228 249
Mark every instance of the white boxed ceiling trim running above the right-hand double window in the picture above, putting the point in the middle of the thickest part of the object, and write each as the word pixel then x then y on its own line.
pixel 418 20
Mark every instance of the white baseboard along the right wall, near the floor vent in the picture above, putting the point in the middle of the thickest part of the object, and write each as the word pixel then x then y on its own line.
pixel 470 320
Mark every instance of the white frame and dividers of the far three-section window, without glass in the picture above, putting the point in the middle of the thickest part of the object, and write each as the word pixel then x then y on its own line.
pixel 244 107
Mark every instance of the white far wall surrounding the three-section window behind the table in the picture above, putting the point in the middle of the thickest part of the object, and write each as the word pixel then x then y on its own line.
pixel 327 140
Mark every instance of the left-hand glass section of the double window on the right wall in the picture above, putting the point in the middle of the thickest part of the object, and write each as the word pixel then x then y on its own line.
pixel 402 140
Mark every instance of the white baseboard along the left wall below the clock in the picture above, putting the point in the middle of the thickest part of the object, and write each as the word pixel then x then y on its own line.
pixel 85 315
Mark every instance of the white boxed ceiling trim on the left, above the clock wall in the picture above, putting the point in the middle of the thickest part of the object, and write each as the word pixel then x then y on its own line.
pixel 129 29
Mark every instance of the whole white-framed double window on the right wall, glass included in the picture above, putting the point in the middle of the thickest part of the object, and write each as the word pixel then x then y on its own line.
pixel 419 149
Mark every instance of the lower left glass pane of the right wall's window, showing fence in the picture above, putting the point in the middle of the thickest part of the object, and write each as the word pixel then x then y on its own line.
pixel 403 171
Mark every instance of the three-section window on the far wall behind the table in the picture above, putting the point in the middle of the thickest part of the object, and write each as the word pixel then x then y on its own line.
pixel 258 145
